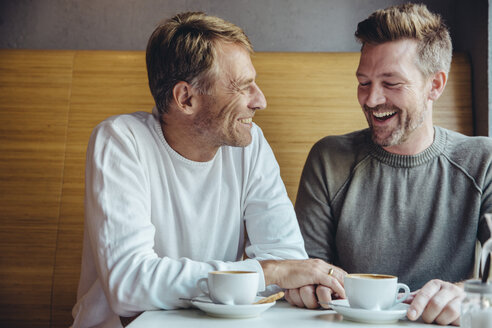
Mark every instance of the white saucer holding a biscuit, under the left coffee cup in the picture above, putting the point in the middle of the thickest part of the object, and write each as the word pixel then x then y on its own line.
pixel 231 311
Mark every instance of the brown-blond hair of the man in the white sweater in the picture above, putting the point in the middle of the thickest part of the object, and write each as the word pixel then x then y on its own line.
pixel 184 48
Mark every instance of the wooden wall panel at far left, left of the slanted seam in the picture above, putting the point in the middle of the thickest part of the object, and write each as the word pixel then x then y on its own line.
pixel 34 97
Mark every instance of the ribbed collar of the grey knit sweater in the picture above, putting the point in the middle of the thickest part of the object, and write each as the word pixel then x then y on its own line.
pixel 395 160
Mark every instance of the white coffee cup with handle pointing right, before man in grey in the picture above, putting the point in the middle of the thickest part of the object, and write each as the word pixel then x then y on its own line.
pixel 374 291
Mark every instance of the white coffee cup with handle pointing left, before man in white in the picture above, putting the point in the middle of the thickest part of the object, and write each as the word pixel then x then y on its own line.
pixel 230 287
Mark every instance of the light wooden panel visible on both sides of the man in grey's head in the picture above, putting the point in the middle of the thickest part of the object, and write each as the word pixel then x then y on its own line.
pixel 312 95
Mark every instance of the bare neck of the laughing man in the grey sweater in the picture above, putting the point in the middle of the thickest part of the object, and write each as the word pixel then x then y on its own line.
pixel 421 139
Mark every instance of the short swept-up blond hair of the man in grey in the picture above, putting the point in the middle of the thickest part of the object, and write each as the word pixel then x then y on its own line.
pixel 411 21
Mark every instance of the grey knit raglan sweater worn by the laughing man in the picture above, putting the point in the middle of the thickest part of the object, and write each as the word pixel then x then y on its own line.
pixel 417 217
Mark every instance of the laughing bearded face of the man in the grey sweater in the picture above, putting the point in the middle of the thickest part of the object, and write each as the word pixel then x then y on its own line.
pixel 394 95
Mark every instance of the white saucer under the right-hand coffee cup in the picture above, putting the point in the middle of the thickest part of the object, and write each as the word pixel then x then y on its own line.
pixel 399 311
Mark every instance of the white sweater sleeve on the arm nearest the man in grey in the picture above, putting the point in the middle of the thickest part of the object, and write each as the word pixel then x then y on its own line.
pixel 271 225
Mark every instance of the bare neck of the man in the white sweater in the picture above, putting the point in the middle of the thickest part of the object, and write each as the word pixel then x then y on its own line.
pixel 185 141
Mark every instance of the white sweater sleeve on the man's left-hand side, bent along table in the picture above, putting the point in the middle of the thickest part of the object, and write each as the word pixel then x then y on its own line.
pixel 121 235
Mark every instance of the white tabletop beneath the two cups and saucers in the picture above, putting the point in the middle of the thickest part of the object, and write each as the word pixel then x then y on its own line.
pixel 281 315
